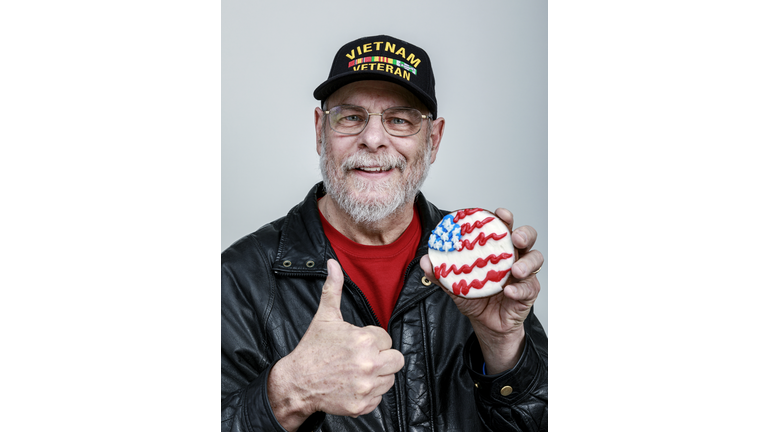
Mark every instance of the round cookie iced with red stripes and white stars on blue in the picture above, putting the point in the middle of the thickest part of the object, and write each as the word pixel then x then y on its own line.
pixel 471 252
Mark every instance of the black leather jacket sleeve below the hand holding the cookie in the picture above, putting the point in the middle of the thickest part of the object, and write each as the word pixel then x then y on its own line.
pixel 515 400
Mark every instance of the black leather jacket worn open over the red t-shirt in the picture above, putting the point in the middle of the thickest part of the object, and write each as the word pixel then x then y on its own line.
pixel 271 283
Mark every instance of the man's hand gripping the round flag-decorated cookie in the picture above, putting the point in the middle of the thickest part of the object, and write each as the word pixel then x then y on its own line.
pixel 498 320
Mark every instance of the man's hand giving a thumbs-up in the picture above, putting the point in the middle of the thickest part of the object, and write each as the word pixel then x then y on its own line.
pixel 336 368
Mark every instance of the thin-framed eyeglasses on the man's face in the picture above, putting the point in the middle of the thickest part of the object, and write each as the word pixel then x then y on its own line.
pixel 397 121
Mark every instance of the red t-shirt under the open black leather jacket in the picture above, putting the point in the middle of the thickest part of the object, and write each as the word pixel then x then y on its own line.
pixel 379 271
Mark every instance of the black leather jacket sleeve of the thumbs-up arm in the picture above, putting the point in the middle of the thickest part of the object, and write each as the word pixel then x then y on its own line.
pixel 246 358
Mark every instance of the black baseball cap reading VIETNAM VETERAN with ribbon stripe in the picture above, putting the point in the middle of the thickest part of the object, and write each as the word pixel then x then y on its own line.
pixel 382 58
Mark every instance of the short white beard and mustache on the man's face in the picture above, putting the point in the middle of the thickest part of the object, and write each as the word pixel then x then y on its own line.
pixel 366 201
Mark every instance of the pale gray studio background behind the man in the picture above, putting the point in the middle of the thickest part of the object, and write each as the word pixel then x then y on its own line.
pixel 490 63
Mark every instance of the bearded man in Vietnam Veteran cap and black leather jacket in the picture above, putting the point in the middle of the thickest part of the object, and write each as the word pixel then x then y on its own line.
pixel 332 318
